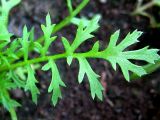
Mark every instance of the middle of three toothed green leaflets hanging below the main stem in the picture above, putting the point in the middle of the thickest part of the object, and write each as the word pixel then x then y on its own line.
pixel 56 81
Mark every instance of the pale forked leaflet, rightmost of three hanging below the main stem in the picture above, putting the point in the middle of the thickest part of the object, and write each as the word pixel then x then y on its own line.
pixel 95 85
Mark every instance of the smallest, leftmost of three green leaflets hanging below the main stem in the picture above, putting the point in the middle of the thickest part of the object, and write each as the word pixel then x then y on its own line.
pixel 31 84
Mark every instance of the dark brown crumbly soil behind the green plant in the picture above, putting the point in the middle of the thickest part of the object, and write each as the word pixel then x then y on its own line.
pixel 137 100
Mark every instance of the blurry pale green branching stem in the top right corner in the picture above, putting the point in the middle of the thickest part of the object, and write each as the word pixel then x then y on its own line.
pixel 141 9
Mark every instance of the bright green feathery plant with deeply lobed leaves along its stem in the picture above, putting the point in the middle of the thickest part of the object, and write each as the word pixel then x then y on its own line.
pixel 17 68
